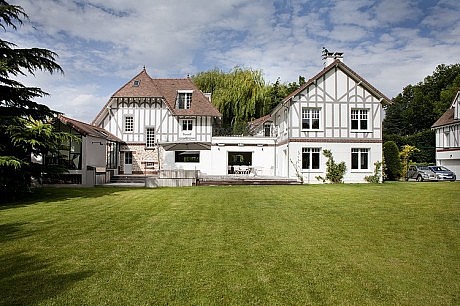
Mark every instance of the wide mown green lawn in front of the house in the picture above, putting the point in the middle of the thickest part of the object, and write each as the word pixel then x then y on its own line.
pixel 393 243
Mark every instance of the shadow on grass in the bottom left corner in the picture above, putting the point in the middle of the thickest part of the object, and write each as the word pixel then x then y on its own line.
pixel 26 279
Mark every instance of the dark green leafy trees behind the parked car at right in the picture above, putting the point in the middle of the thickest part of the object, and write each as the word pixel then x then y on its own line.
pixel 409 118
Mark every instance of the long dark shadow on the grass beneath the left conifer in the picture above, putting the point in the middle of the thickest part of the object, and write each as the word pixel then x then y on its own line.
pixel 53 194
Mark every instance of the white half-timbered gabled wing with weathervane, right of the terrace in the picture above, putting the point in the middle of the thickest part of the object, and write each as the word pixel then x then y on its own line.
pixel 336 110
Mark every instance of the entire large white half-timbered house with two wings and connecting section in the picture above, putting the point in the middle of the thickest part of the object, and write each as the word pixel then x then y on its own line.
pixel 167 124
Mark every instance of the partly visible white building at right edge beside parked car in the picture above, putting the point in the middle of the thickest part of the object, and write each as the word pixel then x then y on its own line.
pixel 447 129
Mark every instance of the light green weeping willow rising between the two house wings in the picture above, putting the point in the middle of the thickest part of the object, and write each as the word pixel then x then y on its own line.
pixel 240 95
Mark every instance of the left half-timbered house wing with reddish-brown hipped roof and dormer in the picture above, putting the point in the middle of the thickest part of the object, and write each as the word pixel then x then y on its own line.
pixel 152 115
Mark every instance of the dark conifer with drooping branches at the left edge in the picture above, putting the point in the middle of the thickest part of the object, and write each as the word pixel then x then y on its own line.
pixel 24 128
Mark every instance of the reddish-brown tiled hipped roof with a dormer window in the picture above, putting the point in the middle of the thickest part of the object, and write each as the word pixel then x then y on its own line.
pixel 165 89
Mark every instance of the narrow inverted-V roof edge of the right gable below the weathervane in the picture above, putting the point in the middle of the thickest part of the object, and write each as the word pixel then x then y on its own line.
pixel 339 64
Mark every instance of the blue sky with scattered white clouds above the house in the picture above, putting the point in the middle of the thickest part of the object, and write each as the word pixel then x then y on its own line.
pixel 102 44
